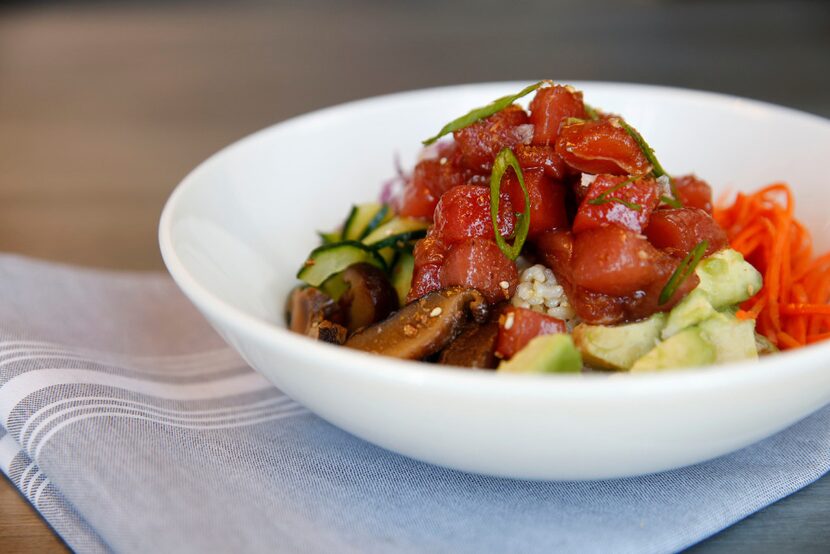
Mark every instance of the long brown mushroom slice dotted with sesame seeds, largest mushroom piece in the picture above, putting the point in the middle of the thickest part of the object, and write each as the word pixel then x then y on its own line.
pixel 423 327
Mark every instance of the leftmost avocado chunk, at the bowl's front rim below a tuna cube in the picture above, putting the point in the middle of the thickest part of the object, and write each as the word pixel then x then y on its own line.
pixel 545 354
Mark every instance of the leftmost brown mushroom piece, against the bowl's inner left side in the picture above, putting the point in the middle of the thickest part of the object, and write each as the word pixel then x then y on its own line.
pixel 311 313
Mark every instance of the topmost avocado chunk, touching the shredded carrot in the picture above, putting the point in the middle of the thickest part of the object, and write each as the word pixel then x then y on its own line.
pixel 727 278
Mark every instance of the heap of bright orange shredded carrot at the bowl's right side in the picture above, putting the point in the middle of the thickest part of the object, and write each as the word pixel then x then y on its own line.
pixel 793 307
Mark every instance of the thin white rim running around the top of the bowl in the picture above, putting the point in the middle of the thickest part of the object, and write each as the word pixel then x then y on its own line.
pixel 405 372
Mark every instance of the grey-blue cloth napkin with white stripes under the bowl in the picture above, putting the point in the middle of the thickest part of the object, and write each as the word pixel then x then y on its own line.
pixel 131 427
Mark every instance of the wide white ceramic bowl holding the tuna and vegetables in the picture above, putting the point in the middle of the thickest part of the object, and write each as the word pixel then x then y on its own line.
pixel 236 229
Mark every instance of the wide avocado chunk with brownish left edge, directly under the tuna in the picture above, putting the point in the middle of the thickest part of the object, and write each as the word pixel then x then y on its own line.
pixel 618 347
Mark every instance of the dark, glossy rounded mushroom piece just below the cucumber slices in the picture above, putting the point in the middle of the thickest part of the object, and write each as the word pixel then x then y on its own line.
pixel 369 298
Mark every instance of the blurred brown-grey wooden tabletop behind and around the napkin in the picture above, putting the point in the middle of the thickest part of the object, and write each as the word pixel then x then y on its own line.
pixel 104 109
